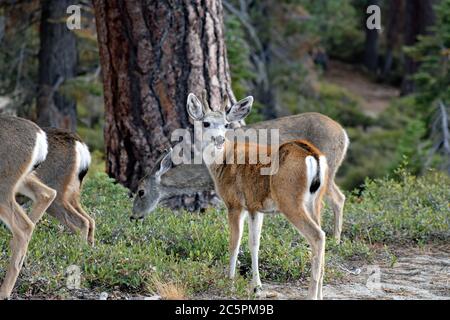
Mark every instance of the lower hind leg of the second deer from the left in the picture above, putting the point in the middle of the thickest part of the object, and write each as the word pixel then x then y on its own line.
pixel 67 215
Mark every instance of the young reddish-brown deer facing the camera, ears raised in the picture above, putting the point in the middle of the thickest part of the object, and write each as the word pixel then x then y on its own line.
pixel 296 189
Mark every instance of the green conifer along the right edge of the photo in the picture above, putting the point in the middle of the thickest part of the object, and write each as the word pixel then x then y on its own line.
pixel 432 81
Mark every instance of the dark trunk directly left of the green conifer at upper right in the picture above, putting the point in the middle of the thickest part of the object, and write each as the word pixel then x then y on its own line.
pixel 419 16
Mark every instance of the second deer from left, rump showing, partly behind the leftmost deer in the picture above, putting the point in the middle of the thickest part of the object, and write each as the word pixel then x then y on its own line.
pixel 66 165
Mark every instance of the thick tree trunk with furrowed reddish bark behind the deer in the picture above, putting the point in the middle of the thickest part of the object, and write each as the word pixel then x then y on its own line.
pixel 153 53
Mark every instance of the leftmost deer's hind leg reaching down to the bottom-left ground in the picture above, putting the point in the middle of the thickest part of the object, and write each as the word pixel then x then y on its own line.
pixel 21 228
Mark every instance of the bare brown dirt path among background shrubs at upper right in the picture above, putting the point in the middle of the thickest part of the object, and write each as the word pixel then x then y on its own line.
pixel 375 97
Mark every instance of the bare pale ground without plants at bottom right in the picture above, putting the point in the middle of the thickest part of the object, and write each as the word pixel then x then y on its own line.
pixel 416 273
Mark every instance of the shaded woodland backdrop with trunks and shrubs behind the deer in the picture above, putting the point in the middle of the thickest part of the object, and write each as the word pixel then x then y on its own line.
pixel 122 80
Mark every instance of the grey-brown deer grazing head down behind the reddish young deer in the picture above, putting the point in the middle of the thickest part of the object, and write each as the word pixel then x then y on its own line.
pixel 326 134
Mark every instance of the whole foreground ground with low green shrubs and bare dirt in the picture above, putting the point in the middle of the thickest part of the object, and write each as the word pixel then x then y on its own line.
pixel 397 248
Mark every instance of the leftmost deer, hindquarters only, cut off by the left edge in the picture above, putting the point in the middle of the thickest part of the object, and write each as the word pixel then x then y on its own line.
pixel 23 147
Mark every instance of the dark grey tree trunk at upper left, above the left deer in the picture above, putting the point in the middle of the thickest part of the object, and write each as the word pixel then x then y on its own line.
pixel 57 64
